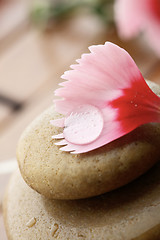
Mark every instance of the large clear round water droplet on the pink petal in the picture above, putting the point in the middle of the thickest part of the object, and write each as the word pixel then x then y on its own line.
pixel 83 125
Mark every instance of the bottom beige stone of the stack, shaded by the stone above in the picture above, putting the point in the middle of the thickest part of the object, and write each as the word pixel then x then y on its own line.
pixel 129 213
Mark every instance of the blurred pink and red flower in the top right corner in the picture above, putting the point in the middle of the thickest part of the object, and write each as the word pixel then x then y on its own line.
pixel 134 16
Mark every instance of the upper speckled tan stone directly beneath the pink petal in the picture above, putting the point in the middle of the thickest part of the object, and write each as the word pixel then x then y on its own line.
pixel 61 175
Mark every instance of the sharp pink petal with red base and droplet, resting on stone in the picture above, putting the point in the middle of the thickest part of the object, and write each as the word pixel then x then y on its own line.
pixel 105 97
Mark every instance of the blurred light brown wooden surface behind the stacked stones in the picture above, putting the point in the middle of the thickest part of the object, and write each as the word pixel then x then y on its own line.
pixel 32 61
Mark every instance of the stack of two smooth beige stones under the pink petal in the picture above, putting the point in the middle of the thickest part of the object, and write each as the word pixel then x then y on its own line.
pixel 60 195
